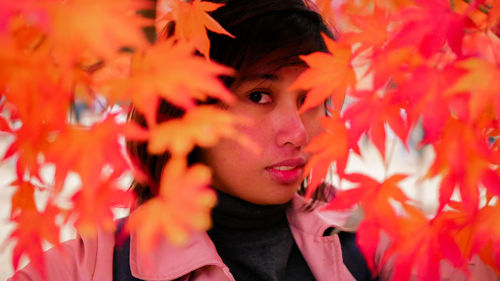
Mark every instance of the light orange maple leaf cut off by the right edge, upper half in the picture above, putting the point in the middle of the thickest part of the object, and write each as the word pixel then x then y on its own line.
pixel 481 80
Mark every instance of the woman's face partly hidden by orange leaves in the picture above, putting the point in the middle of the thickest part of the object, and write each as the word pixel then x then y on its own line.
pixel 274 174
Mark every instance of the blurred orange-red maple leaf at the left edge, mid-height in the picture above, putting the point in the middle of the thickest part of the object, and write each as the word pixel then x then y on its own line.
pixel 41 109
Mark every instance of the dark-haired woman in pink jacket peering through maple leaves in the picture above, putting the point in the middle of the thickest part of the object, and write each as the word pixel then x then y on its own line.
pixel 261 228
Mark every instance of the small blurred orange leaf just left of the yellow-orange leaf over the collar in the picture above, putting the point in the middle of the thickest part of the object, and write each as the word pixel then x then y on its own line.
pixel 92 205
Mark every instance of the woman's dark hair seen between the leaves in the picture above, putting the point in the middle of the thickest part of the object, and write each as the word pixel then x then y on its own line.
pixel 272 33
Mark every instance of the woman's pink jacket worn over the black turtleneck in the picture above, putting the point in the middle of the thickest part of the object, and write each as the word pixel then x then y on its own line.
pixel 84 259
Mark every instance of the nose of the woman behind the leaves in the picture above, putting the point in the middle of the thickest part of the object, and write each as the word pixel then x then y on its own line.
pixel 290 128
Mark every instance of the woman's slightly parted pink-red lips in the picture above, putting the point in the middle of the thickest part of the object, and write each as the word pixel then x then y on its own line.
pixel 288 171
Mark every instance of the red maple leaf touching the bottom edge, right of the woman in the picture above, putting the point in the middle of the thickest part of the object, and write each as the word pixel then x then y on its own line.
pixel 422 245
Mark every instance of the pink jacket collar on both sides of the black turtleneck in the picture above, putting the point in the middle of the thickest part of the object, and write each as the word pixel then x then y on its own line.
pixel 169 262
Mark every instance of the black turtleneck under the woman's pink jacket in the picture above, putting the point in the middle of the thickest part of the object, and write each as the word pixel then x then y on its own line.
pixel 255 242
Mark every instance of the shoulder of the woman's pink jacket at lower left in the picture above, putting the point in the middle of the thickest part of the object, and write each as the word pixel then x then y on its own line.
pixel 83 258
